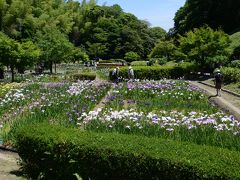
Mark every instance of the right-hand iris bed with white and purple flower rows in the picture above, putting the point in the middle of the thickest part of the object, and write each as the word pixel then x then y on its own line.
pixel 168 109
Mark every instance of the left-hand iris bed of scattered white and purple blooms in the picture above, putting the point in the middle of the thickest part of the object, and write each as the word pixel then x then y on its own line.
pixel 59 103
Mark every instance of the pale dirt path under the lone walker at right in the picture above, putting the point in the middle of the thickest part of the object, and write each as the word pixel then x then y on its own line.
pixel 228 102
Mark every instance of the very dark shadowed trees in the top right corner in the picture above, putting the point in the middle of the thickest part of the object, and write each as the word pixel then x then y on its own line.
pixel 216 14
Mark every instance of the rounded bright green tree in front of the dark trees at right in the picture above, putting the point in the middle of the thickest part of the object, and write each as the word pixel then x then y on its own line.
pixel 206 47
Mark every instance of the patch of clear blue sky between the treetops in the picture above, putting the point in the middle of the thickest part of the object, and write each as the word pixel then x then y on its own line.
pixel 157 12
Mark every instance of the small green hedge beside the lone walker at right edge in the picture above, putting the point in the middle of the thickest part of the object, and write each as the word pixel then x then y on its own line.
pixel 231 75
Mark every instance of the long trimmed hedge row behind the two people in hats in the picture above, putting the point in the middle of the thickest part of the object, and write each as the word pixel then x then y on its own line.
pixel 157 72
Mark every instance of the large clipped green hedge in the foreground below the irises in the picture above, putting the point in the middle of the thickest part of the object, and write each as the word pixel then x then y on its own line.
pixel 55 152
